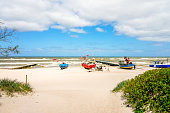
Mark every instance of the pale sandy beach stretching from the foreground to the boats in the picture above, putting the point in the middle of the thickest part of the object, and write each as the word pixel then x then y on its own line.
pixel 73 90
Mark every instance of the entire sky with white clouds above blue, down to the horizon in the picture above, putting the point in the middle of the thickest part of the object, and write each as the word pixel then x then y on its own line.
pixel 97 28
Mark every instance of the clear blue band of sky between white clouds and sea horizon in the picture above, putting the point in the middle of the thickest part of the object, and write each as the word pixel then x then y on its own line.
pixel 54 42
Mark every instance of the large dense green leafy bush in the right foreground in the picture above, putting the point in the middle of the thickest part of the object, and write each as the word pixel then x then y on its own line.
pixel 149 92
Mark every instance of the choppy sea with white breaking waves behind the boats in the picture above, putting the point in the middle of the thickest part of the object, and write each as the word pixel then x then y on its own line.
pixel 47 61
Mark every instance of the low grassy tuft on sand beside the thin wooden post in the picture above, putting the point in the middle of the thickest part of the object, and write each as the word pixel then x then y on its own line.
pixel 10 87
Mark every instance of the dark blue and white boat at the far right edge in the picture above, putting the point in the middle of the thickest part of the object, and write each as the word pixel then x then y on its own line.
pixel 159 64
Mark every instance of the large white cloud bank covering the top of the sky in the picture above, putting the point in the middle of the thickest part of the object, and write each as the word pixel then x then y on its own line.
pixel 145 19
